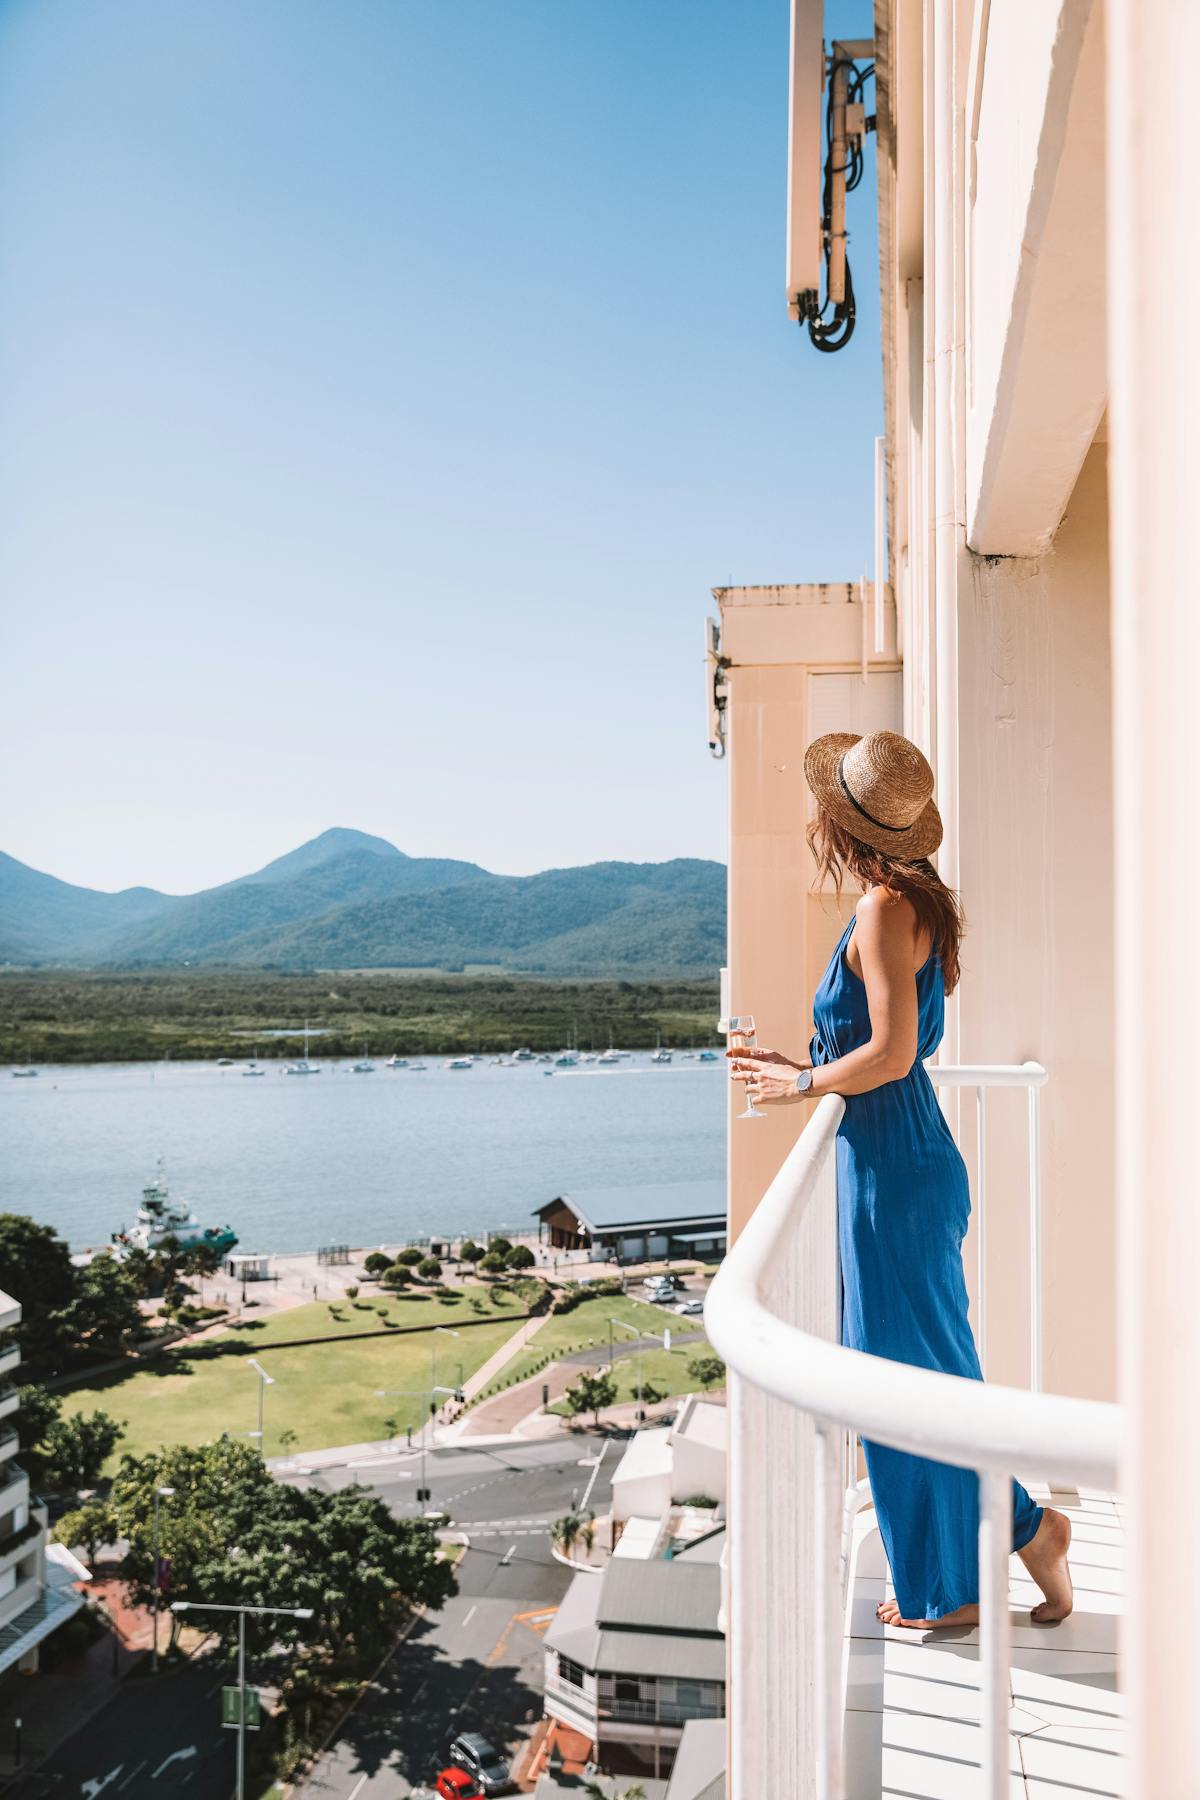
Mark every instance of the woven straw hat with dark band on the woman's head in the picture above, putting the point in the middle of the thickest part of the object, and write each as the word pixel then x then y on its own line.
pixel 881 789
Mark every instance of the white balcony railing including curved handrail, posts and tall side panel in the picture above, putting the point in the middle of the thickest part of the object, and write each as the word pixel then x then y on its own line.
pixel 798 1401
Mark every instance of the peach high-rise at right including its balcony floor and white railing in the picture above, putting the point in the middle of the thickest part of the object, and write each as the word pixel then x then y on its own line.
pixel 1034 629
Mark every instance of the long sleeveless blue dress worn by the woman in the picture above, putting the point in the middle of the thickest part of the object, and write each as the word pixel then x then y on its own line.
pixel 902 1218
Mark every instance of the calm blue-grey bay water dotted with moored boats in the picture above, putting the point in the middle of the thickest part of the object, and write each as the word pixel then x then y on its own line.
pixel 348 1158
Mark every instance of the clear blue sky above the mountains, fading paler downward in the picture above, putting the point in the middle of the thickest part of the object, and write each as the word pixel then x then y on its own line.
pixel 384 384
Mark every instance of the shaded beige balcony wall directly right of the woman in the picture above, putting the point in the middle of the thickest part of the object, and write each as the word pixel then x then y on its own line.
pixel 1035 845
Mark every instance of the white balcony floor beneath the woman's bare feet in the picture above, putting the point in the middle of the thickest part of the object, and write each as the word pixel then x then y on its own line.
pixel 913 1696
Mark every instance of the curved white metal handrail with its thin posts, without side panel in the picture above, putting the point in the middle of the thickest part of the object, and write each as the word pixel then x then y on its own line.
pixel 949 1419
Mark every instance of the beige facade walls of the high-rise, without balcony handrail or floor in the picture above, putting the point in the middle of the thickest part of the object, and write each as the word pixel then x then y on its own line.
pixel 1039 242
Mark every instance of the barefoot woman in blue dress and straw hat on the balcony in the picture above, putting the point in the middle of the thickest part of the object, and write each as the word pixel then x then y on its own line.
pixel 902 1185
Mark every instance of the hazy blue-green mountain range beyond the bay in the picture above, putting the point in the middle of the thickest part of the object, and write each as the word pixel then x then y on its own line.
pixel 352 901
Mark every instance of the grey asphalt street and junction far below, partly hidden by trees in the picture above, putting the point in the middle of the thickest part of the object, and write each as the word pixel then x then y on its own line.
pixel 474 1666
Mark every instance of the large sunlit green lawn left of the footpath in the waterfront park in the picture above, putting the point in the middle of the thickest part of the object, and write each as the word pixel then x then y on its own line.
pixel 321 1392
